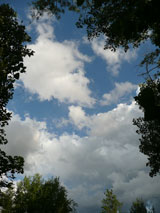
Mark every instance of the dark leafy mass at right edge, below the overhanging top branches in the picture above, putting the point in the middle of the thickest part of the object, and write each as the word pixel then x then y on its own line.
pixel 149 125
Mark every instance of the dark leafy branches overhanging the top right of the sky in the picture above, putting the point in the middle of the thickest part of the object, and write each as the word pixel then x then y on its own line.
pixel 121 22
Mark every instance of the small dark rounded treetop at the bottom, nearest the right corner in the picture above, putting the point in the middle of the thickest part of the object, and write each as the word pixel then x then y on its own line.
pixel 138 207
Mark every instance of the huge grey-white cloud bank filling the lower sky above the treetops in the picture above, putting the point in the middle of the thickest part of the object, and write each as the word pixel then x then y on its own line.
pixel 106 157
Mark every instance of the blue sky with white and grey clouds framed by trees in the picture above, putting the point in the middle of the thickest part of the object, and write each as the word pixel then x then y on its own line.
pixel 72 114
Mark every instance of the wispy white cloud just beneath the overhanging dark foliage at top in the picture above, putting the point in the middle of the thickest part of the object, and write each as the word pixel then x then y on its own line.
pixel 112 59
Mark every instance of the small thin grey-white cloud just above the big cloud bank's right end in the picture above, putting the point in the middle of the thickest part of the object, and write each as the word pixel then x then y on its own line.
pixel 121 89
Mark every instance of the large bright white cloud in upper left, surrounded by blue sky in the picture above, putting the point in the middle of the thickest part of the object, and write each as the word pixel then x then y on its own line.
pixel 57 69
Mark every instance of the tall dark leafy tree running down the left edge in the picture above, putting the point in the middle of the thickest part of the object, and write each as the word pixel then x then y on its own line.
pixel 12 51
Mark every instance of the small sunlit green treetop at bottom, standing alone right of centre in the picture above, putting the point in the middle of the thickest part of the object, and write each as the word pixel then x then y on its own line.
pixel 110 204
